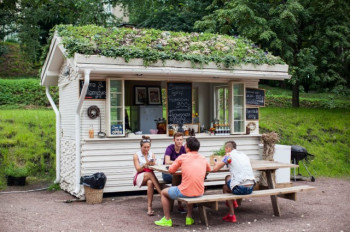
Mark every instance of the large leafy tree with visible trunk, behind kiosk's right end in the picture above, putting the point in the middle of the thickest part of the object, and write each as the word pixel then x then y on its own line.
pixel 293 30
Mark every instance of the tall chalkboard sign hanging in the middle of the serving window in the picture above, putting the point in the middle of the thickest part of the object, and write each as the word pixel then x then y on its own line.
pixel 179 103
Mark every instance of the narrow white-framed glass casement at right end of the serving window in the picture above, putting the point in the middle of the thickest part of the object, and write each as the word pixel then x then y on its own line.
pixel 237 105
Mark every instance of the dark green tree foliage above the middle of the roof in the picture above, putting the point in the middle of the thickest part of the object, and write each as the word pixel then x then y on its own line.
pixel 174 15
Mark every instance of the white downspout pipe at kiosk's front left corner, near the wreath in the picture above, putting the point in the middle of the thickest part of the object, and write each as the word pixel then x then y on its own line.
pixel 77 130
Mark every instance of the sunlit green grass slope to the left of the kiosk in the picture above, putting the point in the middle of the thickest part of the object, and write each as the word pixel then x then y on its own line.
pixel 27 137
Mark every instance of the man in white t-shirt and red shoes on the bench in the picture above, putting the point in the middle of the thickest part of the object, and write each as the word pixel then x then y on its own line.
pixel 241 181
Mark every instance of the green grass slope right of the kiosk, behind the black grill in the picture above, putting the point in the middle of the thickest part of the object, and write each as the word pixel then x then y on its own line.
pixel 324 133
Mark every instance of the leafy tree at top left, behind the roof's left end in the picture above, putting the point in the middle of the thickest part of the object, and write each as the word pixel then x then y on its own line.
pixel 36 18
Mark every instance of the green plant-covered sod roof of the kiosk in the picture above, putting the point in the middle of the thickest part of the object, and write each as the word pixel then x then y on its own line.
pixel 152 45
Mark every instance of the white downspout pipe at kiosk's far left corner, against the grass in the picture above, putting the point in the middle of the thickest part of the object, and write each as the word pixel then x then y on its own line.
pixel 58 135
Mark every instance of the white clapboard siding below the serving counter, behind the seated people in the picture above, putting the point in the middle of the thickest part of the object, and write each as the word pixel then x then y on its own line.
pixel 114 157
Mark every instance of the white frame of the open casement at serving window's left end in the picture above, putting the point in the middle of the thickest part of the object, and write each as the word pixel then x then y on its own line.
pixel 108 107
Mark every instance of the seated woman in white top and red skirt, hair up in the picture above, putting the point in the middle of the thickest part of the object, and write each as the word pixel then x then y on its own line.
pixel 145 176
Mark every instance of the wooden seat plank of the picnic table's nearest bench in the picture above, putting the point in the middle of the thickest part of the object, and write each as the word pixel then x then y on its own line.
pixel 260 193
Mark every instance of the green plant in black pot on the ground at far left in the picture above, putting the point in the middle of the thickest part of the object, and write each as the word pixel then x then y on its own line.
pixel 15 174
